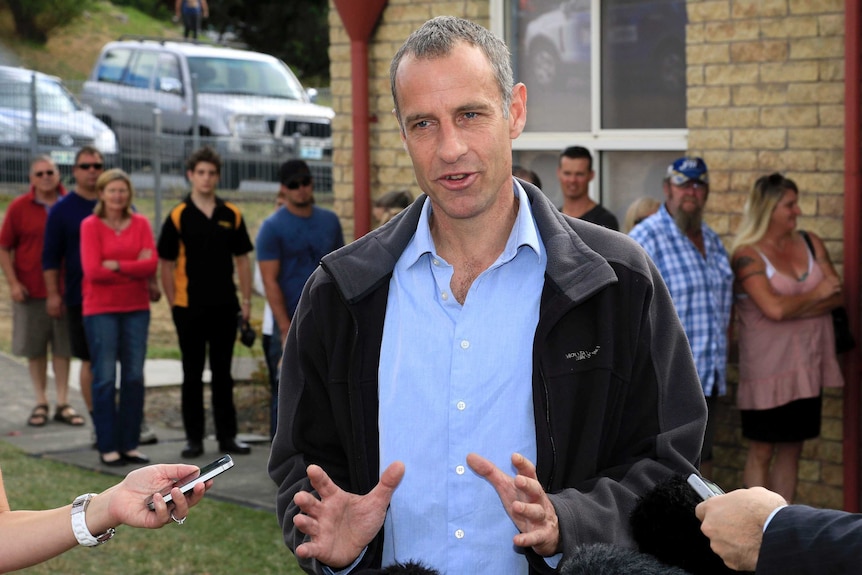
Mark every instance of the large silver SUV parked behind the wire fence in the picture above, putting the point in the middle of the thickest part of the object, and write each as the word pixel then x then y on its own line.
pixel 247 105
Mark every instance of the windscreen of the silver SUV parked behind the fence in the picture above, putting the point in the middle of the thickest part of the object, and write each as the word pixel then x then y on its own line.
pixel 245 77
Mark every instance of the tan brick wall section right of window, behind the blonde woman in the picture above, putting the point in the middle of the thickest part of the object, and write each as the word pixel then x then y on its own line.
pixel 766 93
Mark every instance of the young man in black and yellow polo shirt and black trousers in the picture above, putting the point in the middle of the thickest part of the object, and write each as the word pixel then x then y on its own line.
pixel 201 239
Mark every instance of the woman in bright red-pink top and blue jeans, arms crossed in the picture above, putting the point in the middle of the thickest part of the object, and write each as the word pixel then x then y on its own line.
pixel 118 257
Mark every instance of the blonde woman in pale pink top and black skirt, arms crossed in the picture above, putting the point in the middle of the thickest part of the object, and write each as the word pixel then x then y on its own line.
pixel 785 292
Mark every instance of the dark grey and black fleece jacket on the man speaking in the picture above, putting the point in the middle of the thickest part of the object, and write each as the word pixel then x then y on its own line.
pixel 617 401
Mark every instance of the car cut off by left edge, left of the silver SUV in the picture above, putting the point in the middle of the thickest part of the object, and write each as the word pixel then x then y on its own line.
pixel 63 125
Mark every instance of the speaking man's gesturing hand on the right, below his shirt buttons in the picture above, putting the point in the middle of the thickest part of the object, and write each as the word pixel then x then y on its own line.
pixel 525 501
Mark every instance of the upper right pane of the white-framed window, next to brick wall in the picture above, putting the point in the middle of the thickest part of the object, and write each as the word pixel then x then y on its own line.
pixel 643 64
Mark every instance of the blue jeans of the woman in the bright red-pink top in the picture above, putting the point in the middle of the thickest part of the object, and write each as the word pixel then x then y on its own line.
pixel 114 337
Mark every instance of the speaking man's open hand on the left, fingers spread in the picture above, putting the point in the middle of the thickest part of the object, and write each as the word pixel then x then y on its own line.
pixel 342 524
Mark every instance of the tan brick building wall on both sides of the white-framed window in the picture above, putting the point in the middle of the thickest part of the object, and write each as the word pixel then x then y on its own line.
pixel 765 93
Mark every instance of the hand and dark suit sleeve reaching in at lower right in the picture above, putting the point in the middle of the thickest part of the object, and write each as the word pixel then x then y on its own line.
pixel 755 530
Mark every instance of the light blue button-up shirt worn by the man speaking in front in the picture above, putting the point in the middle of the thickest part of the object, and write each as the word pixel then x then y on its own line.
pixel 454 380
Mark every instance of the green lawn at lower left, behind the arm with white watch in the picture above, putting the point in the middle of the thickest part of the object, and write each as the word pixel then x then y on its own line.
pixel 218 539
